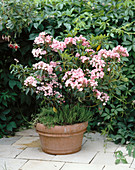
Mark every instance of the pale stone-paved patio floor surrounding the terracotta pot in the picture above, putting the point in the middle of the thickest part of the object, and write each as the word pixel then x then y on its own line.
pixel 23 152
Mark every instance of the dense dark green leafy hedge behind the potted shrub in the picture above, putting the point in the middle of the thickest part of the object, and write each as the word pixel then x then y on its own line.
pixel 23 20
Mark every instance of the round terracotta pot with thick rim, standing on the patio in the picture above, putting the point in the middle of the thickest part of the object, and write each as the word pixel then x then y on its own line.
pixel 61 140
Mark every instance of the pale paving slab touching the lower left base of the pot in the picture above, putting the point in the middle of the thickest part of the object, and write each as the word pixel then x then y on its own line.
pixel 35 153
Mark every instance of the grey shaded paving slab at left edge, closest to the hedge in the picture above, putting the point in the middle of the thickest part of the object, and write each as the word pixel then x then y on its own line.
pixel 9 141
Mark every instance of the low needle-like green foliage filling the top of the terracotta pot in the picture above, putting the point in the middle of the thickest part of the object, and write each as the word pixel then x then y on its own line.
pixel 65 116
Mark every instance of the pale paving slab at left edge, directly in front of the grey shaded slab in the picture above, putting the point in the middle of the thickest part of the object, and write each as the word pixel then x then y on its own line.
pixel 9 151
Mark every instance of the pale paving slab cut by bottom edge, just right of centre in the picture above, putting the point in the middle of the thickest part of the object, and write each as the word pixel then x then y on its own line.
pixel 75 166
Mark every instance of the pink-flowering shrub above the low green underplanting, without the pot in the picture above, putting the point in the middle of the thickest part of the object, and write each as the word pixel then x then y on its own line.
pixel 69 72
